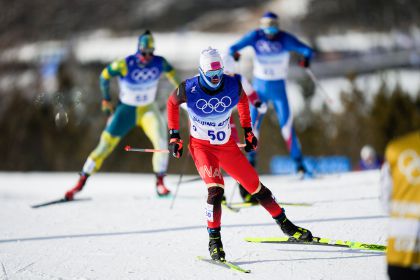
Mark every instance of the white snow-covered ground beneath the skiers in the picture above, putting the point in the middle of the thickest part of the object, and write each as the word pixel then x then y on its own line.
pixel 125 232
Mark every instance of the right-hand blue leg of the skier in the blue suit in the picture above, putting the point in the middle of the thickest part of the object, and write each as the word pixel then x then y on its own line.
pixel 285 119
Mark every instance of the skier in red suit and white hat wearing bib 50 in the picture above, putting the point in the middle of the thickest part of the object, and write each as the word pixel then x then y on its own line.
pixel 210 98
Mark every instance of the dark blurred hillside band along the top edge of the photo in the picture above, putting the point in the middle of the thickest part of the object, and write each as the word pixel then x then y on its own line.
pixel 37 20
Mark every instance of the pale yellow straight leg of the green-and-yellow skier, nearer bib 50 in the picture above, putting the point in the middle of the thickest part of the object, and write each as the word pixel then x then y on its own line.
pixel 149 118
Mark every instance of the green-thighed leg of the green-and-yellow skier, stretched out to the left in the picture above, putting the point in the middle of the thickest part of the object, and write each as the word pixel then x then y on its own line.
pixel 118 126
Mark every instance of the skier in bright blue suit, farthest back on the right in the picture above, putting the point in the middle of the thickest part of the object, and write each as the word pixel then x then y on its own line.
pixel 272 48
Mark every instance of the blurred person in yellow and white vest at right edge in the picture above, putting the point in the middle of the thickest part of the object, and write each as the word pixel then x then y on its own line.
pixel 400 181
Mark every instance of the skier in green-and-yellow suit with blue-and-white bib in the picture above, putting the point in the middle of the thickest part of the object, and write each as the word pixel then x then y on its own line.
pixel 138 77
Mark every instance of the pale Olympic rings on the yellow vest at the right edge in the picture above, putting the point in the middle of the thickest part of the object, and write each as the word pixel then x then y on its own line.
pixel 409 165
